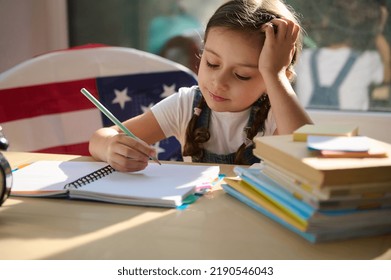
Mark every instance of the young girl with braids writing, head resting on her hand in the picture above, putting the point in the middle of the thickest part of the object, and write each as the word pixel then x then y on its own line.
pixel 244 90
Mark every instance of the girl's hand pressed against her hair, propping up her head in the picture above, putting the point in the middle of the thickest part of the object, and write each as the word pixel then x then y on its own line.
pixel 279 46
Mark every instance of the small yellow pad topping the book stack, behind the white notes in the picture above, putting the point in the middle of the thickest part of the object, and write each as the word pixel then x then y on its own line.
pixel 324 130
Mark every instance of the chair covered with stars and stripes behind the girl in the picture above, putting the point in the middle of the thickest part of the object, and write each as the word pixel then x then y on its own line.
pixel 42 109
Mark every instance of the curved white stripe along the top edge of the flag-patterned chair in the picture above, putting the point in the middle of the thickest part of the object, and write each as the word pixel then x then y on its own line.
pixel 85 64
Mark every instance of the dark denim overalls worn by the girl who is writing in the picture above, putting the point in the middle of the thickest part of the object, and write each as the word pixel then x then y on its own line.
pixel 203 121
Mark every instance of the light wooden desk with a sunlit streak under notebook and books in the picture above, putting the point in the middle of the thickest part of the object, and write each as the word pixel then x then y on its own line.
pixel 217 226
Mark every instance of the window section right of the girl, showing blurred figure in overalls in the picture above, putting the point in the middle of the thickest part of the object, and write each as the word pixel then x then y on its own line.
pixel 343 74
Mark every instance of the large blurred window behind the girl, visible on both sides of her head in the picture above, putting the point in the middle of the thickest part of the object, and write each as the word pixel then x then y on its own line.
pixel 347 42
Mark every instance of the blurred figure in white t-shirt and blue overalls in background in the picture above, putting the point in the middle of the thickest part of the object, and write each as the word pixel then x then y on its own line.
pixel 346 60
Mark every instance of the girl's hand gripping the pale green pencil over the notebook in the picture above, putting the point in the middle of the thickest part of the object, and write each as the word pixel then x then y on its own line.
pixel 127 154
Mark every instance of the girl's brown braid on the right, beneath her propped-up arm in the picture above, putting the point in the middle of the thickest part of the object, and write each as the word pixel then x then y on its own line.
pixel 260 111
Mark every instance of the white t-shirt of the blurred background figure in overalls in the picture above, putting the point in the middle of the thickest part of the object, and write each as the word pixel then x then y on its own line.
pixel 353 93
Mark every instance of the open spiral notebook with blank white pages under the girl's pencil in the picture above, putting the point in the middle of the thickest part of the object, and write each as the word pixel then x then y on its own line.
pixel 164 185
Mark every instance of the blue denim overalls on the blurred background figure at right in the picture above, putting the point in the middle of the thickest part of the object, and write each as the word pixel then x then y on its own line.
pixel 323 96
